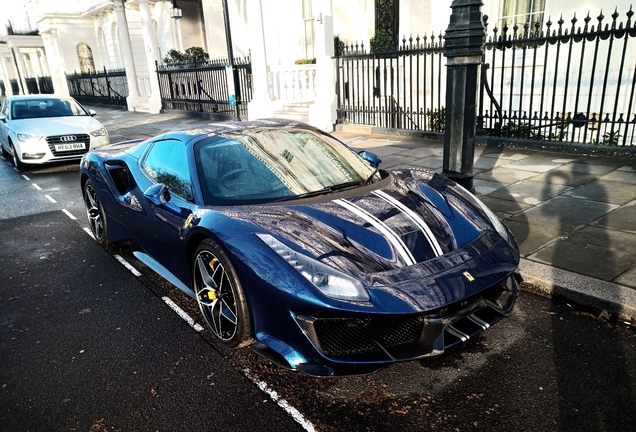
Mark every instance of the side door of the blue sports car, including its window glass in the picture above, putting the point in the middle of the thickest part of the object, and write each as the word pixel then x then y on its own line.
pixel 159 229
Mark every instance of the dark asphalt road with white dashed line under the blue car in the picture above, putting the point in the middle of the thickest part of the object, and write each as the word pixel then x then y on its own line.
pixel 87 345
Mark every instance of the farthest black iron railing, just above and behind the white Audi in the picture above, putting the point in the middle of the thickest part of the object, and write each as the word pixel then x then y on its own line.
pixel 107 87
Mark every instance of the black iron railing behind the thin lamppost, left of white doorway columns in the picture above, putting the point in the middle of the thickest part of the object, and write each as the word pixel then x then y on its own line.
pixel 203 87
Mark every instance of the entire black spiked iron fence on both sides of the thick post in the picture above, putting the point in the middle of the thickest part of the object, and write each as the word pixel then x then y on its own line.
pixel 559 83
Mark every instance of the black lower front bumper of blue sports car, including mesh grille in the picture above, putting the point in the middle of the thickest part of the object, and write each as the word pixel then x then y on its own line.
pixel 354 344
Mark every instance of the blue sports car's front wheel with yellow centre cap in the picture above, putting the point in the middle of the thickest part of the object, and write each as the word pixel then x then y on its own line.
pixel 220 296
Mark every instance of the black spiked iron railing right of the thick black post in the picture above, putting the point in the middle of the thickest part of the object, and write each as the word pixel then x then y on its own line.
pixel 563 82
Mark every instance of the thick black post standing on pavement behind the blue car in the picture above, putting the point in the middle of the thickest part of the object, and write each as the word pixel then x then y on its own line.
pixel 464 52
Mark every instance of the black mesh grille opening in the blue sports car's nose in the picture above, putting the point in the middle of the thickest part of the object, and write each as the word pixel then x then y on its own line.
pixel 344 336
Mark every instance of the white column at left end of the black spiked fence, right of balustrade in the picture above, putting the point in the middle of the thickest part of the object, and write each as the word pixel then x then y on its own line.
pixel 322 114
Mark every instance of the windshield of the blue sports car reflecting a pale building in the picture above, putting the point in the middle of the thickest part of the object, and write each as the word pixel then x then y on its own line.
pixel 266 165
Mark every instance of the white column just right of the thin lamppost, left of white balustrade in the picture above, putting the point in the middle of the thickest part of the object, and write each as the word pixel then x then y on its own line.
pixel 261 105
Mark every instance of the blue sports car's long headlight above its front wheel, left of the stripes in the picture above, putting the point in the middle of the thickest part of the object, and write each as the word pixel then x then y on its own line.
pixel 326 279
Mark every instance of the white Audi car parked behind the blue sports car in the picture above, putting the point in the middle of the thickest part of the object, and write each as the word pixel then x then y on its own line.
pixel 38 129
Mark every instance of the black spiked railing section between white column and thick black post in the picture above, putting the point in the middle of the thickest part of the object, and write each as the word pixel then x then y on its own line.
pixel 402 89
